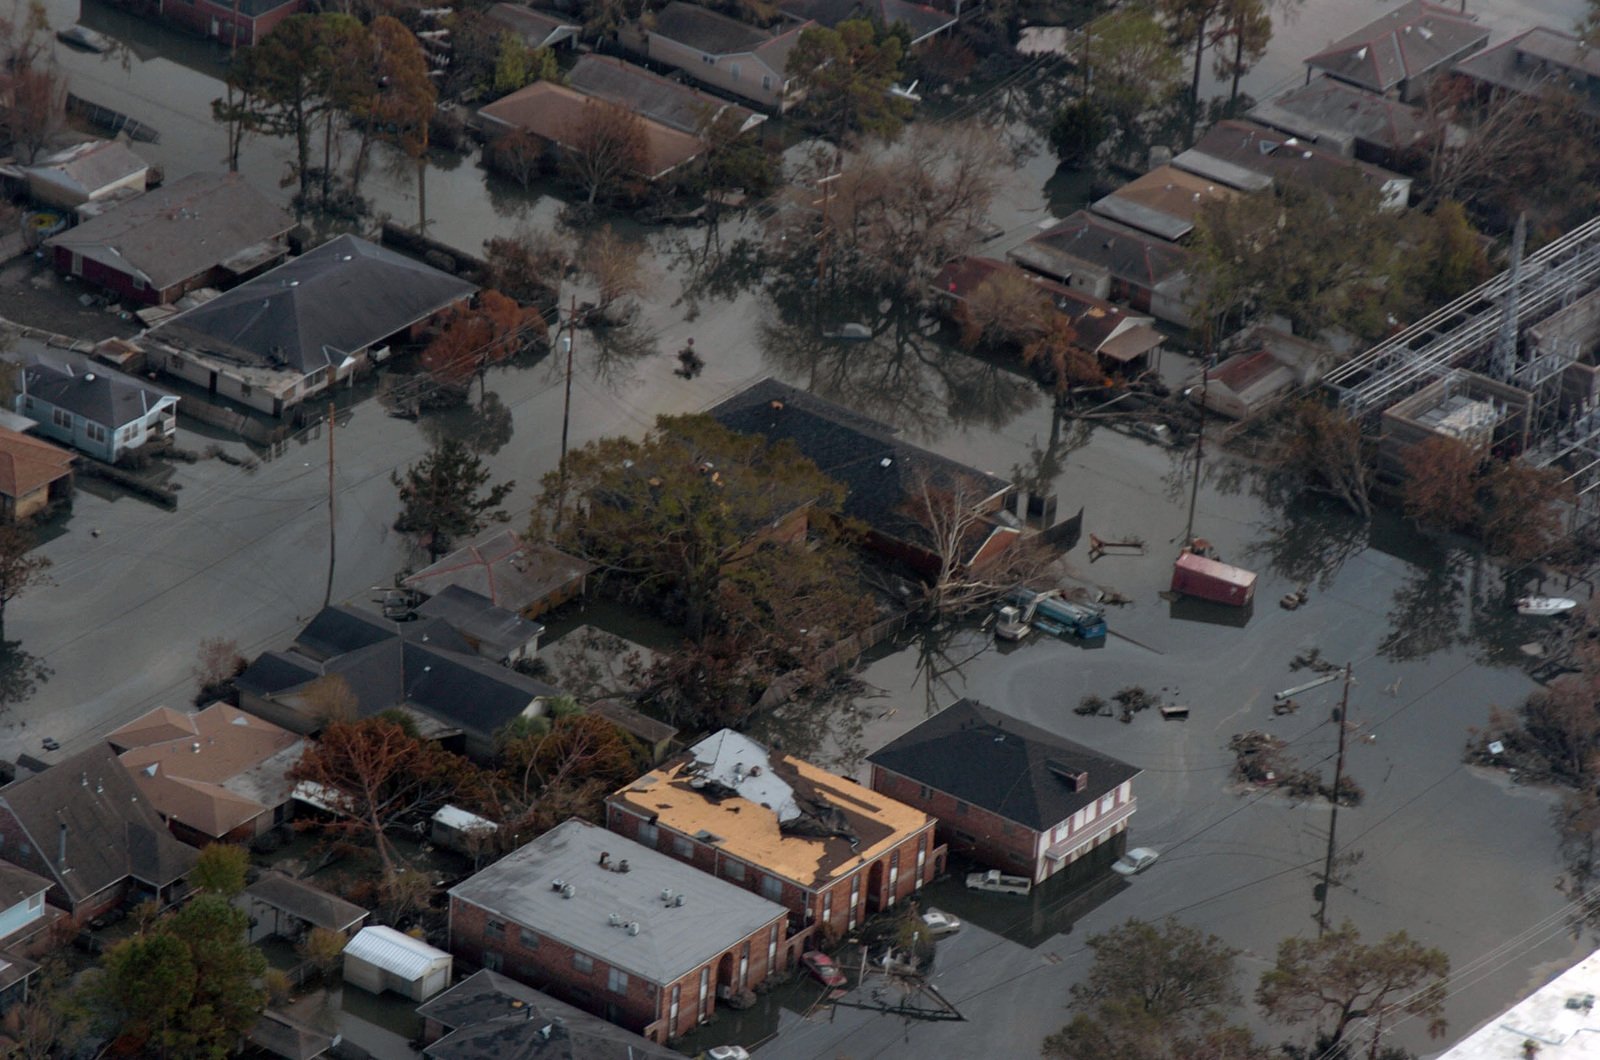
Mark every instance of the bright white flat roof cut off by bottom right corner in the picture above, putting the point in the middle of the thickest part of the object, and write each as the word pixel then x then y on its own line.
pixel 1558 1016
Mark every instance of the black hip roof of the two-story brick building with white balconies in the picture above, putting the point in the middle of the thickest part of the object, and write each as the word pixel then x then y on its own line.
pixel 1006 766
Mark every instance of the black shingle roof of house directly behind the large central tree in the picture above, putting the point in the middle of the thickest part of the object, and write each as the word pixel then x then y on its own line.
pixel 882 475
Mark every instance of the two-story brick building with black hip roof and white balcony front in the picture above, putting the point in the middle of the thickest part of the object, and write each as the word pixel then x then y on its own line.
pixel 1007 793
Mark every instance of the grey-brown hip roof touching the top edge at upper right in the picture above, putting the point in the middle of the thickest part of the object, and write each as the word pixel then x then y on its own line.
pixel 1401 44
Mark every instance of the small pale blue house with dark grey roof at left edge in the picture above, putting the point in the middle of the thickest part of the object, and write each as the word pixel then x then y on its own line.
pixel 94 409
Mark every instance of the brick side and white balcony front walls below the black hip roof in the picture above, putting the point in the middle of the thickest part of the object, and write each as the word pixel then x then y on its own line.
pixel 991 840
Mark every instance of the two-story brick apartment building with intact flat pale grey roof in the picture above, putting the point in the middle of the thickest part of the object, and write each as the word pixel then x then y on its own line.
pixel 614 928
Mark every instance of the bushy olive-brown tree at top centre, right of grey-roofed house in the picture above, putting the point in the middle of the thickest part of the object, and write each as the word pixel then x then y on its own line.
pixel 846 74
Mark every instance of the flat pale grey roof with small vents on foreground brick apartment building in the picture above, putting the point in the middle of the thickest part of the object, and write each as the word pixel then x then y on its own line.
pixel 671 942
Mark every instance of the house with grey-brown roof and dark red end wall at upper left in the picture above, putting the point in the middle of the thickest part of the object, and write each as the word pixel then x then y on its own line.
pixel 206 230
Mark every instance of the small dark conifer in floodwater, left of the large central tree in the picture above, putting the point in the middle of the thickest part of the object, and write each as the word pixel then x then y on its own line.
pixel 447 496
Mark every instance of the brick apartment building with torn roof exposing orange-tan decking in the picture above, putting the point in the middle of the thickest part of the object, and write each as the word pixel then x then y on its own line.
pixel 822 846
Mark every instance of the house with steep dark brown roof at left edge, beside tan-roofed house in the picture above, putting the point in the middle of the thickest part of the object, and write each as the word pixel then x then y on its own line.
pixel 89 829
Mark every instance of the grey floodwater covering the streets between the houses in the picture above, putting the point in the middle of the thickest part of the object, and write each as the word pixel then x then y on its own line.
pixel 1454 854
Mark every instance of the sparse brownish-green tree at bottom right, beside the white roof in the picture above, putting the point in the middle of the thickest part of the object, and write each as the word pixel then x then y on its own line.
pixel 1343 987
